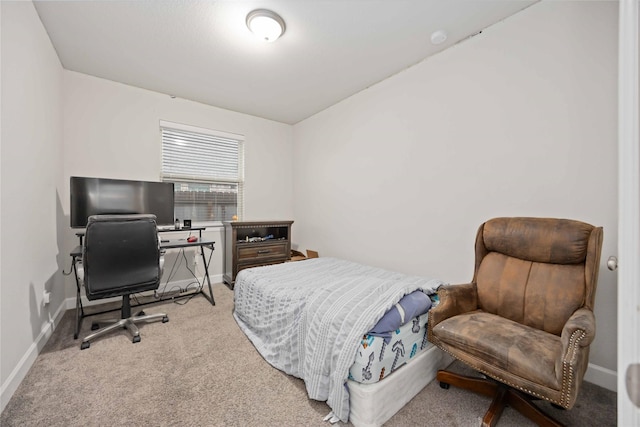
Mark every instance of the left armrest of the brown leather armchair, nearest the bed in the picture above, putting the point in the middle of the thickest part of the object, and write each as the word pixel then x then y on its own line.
pixel 454 300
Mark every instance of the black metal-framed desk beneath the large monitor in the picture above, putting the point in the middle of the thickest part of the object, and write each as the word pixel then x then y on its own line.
pixel 76 255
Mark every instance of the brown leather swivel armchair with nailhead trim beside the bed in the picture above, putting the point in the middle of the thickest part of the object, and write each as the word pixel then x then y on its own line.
pixel 526 320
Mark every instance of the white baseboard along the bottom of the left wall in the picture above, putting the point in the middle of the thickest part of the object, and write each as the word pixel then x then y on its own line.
pixel 22 368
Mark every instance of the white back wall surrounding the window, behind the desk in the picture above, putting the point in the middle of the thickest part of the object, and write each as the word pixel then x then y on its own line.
pixel 112 130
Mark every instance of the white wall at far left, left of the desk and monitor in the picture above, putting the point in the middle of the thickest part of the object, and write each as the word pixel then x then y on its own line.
pixel 31 158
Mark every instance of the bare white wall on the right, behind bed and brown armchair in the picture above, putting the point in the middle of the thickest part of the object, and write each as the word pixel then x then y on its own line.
pixel 517 121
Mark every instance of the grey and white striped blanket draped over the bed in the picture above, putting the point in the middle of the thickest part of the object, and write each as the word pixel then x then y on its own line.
pixel 307 318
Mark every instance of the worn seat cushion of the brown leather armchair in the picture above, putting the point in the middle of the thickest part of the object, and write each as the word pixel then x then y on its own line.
pixel 506 348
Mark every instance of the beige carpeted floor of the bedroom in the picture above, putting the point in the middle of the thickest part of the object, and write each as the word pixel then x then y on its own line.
pixel 200 370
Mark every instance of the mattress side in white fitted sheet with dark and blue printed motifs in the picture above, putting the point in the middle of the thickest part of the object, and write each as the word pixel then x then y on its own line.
pixel 378 358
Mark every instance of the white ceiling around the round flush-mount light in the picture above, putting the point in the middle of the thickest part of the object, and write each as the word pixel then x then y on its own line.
pixel 201 50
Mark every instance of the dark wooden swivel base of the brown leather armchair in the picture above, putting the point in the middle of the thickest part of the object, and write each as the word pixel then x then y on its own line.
pixel 502 396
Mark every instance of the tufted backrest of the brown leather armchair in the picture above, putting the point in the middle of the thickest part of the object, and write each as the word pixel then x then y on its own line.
pixel 537 271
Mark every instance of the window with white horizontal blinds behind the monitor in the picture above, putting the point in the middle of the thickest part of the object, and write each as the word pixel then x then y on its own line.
pixel 207 169
